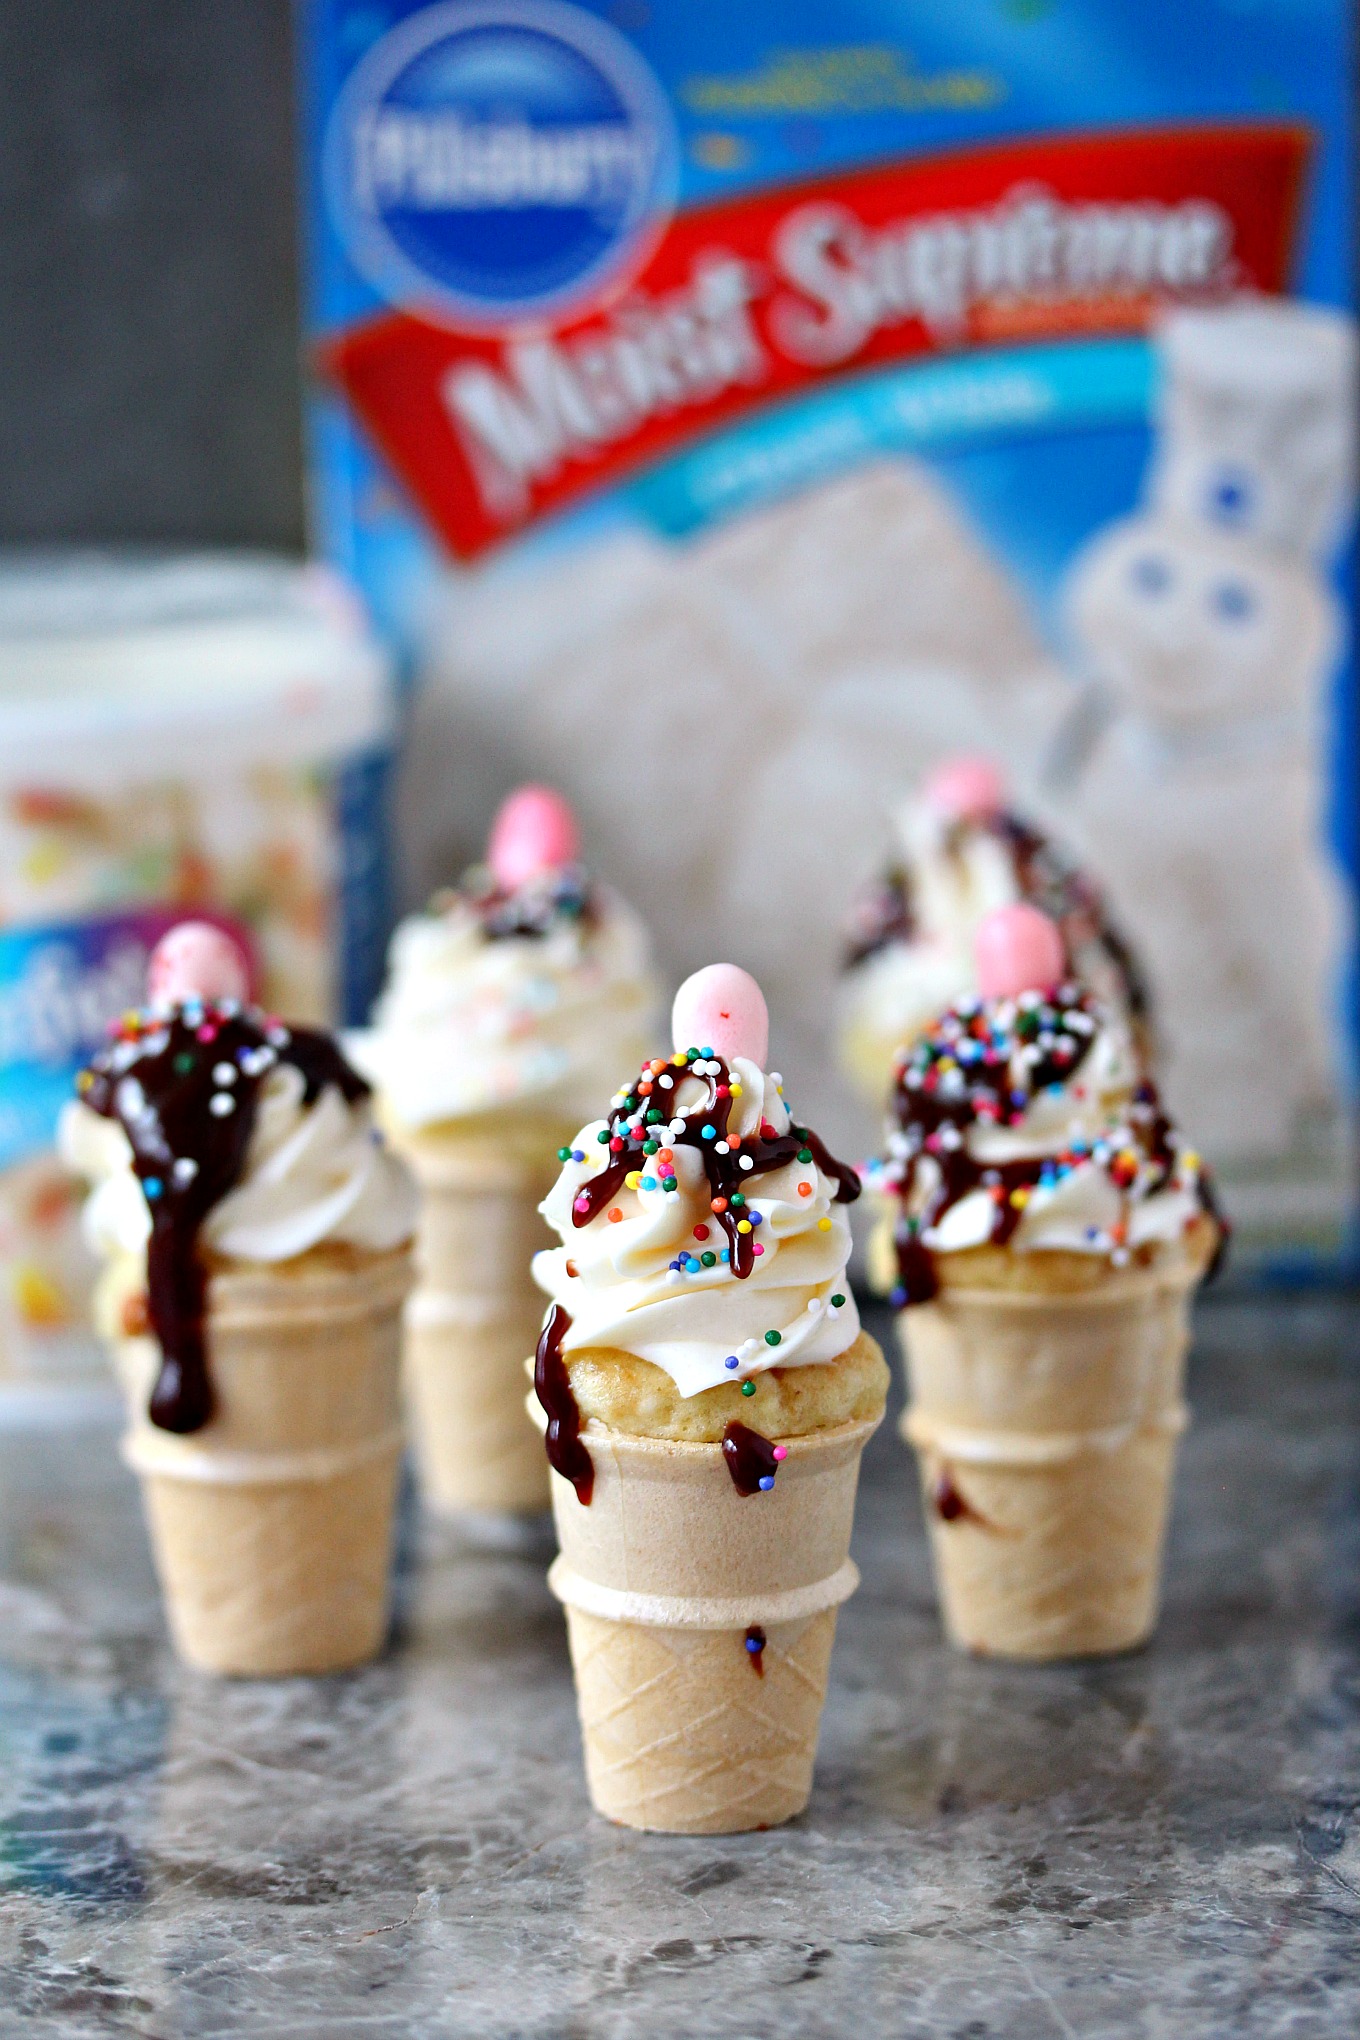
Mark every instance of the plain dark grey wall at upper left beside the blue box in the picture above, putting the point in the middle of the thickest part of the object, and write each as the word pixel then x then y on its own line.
pixel 150 385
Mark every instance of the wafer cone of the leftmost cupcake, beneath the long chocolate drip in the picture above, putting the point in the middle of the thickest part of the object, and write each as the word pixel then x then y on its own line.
pixel 272 1525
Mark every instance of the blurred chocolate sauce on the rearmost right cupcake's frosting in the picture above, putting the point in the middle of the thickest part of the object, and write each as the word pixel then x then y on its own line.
pixel 1045 876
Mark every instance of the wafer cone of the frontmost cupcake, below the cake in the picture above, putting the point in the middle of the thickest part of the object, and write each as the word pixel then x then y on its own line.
pixel 664 1576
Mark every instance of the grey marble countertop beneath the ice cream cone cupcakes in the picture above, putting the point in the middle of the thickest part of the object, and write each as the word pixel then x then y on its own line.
pixel 1163 1845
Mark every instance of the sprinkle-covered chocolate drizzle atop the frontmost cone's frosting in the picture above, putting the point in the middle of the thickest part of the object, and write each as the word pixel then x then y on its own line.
pixel 635 1147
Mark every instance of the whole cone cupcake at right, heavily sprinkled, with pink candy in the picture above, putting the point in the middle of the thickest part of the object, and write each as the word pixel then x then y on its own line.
pixel 1051 1229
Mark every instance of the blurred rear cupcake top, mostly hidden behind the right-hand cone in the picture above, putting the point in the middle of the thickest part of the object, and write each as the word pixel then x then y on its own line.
pixel 910 950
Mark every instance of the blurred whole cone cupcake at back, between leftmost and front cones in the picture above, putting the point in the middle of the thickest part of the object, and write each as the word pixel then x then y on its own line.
pixel 509 1013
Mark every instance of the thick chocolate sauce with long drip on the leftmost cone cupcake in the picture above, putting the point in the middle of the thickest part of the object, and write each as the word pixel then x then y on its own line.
pixel 185 1086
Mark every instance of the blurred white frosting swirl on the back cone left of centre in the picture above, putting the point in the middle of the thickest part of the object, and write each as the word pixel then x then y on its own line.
pixel 474 1023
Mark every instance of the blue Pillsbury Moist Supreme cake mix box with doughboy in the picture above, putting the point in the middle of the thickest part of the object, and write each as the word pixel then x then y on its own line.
pixel 737 413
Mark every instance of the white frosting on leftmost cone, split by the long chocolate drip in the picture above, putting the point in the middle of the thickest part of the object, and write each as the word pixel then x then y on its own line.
pixel 313 1174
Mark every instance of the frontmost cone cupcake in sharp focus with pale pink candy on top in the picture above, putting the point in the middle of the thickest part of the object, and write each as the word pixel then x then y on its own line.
pixel 709 1394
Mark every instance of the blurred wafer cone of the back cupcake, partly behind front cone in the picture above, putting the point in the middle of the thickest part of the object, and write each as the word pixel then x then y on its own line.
pixel 474 1319
